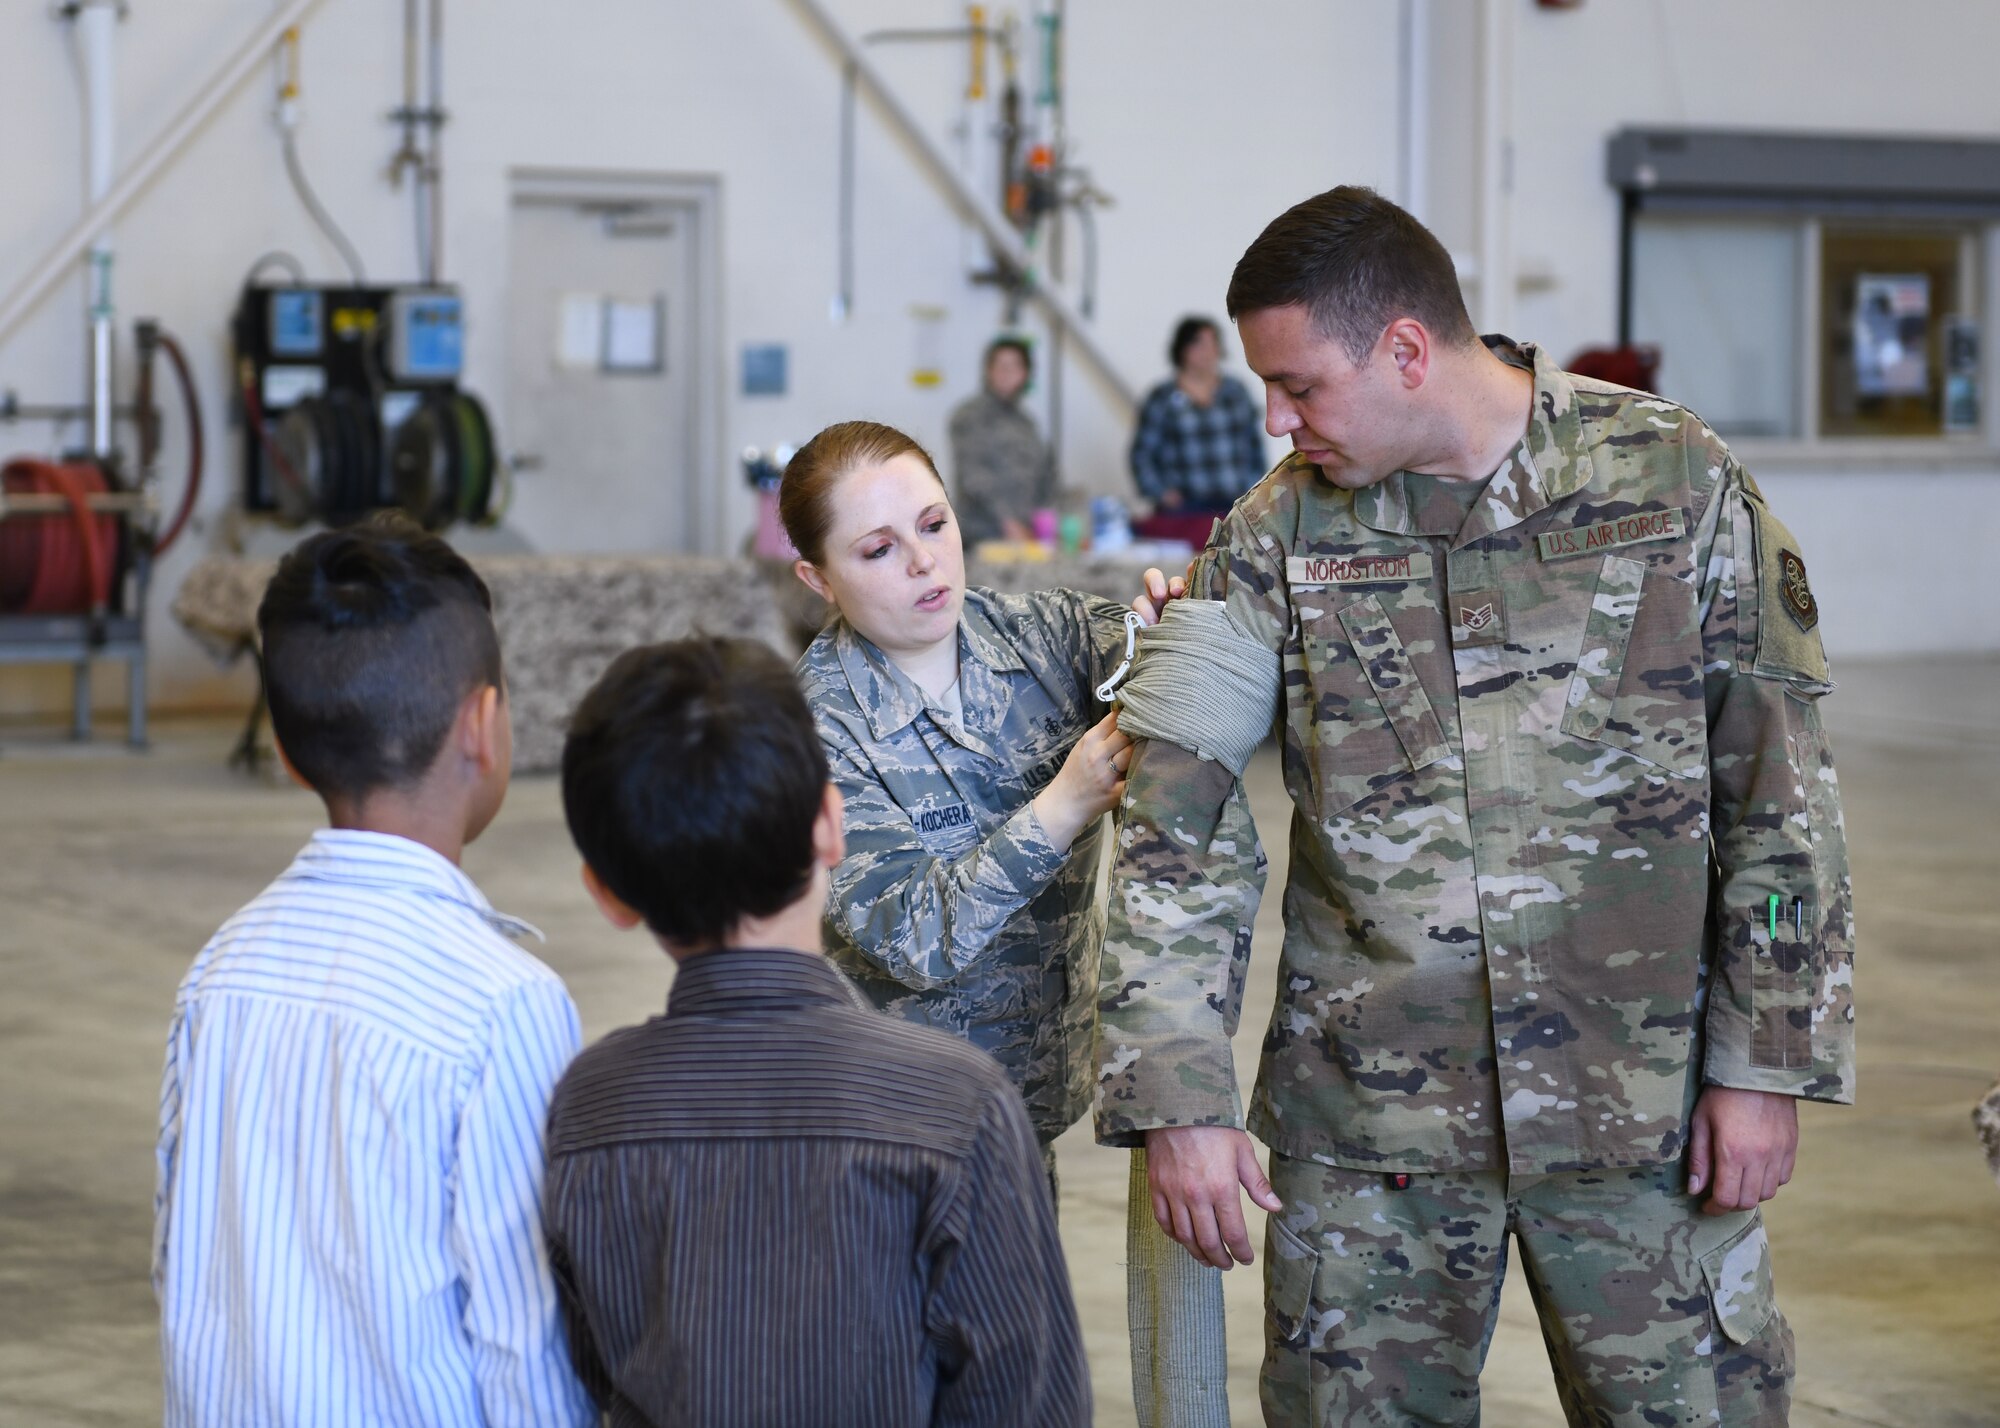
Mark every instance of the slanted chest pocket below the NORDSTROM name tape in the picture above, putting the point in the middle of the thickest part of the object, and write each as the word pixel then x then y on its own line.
pixel 1369 721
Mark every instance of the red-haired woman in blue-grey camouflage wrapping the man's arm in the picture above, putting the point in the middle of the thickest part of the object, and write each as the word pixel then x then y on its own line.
pixel 975 759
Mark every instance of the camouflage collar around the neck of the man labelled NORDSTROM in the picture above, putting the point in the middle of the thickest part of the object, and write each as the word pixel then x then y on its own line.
pixel 1549 465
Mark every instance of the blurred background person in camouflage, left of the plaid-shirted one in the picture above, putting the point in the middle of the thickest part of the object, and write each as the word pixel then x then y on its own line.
pixel 1005 469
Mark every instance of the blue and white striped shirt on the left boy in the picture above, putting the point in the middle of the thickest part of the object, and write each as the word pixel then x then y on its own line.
pixel 347 1223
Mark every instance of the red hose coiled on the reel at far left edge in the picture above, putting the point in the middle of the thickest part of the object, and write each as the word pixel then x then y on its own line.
pixel 55 565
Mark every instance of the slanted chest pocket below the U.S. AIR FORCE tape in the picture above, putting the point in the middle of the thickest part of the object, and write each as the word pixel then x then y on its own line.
pixel 1639 671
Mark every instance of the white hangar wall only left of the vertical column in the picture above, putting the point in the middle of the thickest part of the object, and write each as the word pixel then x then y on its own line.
pixel 1173 105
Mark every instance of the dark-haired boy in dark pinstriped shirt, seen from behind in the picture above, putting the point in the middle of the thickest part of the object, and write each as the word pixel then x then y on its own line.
pixel 773 1207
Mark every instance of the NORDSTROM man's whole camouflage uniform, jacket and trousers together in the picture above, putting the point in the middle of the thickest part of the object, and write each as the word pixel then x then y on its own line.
pixel 1549 767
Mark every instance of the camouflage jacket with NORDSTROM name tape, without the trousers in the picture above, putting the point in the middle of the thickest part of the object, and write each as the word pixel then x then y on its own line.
pixel 1567 837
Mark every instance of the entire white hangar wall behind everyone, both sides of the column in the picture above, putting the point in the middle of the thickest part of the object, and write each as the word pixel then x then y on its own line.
pixel 1205 121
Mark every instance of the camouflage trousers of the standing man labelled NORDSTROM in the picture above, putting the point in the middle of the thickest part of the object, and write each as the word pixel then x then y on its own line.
pixel 1381 1303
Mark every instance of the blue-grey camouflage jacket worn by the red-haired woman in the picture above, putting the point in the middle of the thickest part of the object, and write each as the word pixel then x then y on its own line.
pixel 953 907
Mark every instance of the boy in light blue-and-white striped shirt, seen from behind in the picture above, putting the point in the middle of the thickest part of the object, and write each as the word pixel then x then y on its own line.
pixel 349 1209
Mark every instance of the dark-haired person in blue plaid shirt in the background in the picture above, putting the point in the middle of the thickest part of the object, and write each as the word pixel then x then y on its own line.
pixel 1201 439
